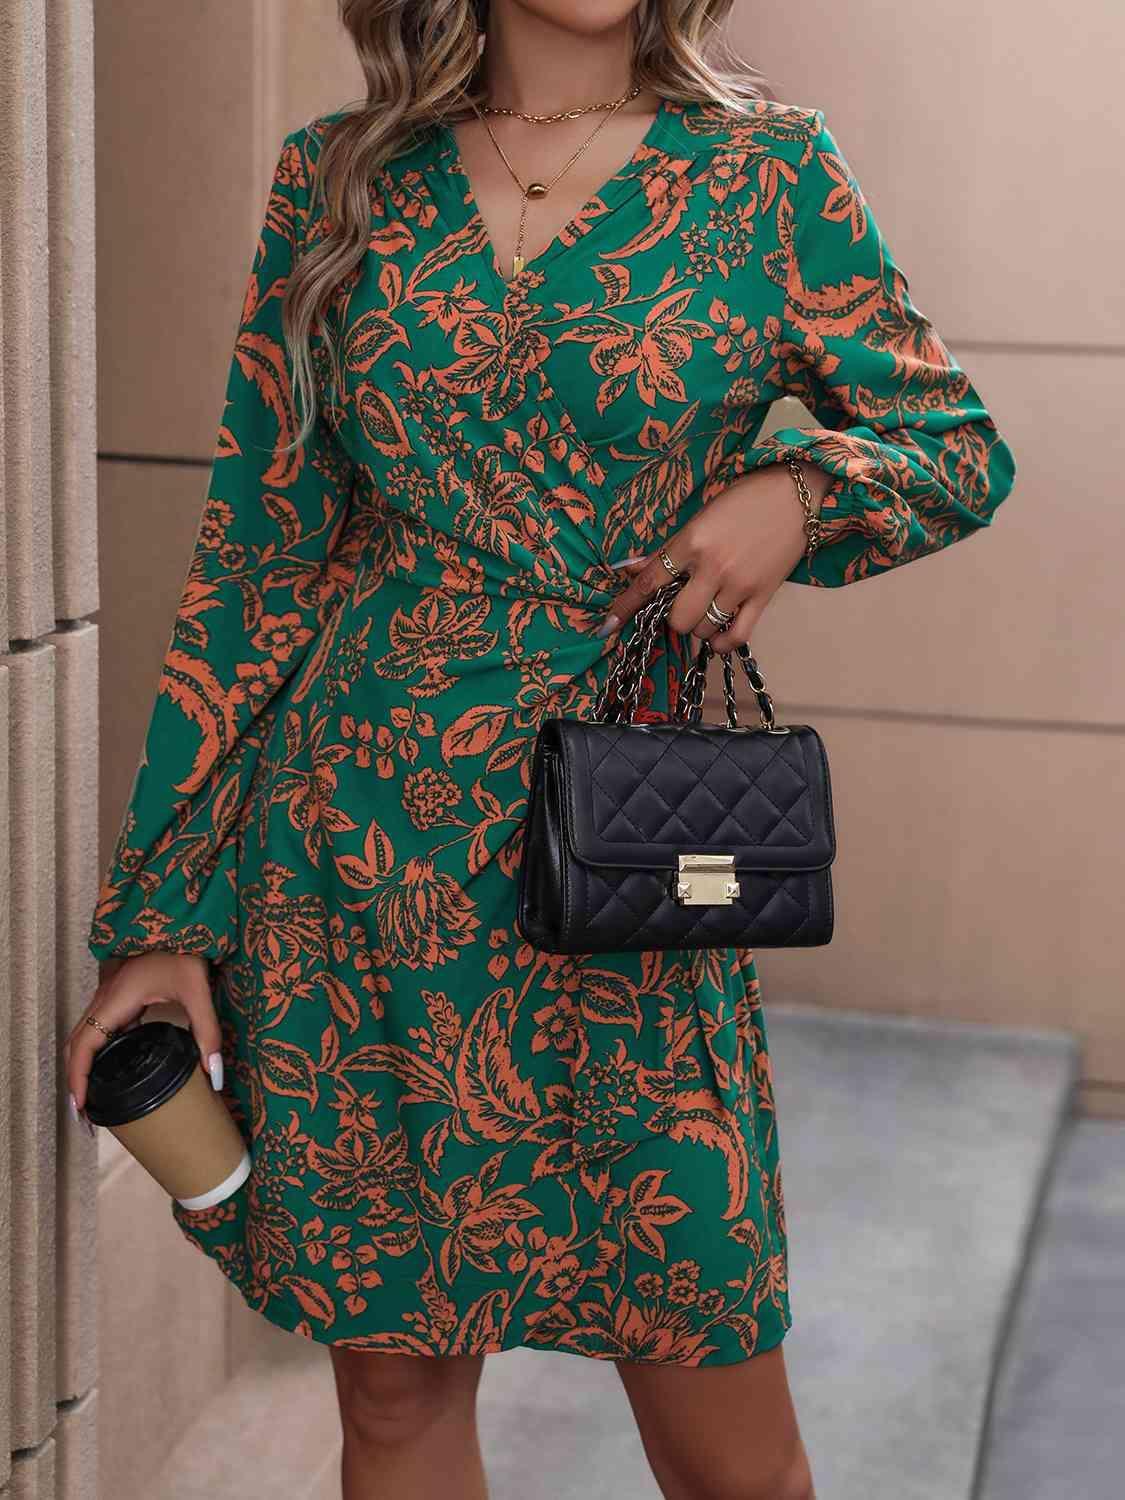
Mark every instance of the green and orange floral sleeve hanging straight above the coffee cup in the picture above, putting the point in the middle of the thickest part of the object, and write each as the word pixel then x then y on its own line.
pixel 265 575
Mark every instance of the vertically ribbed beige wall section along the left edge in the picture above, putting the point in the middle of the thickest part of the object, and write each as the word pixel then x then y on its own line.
pixel 49 736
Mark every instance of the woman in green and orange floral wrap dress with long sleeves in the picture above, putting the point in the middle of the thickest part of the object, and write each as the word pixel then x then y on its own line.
pixel 458 415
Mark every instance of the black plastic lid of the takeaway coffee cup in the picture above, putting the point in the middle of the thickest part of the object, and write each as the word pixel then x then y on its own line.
pixel 139 1070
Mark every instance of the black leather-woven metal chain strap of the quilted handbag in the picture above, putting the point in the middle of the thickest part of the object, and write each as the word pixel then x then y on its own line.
pixel 622 691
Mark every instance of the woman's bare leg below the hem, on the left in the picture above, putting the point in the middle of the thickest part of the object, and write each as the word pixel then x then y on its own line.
pixel 410 1426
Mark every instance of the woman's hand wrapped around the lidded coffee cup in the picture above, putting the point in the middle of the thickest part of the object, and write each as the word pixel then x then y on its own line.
pixel 124 997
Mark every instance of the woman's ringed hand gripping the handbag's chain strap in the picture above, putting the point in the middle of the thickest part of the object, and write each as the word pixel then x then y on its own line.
pixel 739 550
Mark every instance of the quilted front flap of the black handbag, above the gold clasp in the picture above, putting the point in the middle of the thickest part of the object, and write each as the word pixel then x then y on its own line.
pixel 641 794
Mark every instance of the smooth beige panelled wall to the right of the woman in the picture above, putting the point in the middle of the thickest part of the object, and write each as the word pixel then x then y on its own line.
pixel 974 703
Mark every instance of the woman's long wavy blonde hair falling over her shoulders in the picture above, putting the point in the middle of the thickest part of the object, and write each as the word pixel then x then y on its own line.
pixel 422 59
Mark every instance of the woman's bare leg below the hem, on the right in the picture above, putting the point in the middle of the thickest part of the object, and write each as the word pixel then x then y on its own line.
pixel 721 1432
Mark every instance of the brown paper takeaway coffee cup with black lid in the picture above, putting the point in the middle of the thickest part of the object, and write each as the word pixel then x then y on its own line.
pixel 148 1088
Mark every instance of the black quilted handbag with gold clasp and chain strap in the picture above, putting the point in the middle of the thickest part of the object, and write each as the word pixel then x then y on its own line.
pixel 680 833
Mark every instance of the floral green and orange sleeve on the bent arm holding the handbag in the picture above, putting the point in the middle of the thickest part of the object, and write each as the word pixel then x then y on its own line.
pixel 916 457
